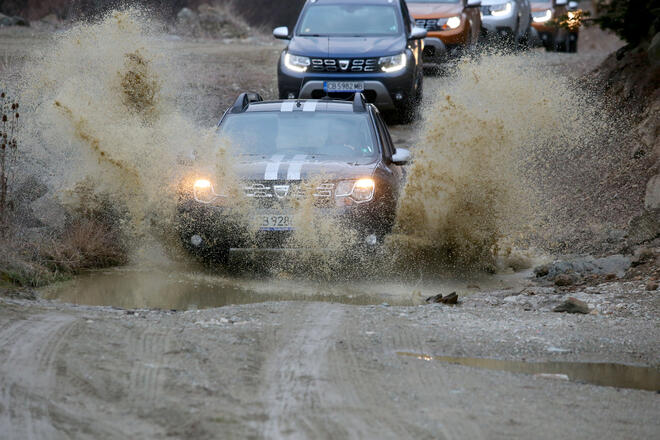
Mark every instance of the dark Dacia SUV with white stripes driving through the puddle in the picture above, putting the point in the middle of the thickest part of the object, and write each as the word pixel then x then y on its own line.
pixel 338 153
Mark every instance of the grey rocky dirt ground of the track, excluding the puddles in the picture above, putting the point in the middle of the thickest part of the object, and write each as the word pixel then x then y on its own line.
pixel 308 369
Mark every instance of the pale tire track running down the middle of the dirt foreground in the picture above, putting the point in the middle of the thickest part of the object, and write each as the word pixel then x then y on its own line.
pixel 295 378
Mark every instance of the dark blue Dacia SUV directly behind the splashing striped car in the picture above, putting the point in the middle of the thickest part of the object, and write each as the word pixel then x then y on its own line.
pixel 340 47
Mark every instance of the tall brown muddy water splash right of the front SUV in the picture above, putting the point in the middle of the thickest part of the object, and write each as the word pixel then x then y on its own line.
pixel 493 127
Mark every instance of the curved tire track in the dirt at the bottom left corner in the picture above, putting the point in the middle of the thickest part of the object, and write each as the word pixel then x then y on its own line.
pixel 28 375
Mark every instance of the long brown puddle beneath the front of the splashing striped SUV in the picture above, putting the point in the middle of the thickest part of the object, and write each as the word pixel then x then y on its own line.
pixel 185 289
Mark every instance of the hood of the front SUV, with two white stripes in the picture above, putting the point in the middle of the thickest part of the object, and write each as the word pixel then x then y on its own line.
pixel 294 169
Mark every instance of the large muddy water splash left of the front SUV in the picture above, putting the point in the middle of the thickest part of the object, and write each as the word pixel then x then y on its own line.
pixel 102 96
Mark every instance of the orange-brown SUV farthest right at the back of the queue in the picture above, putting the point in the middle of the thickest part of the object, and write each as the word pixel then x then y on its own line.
pixel 552 36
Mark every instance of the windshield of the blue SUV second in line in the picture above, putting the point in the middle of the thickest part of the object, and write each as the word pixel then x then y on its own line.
pixel 350 20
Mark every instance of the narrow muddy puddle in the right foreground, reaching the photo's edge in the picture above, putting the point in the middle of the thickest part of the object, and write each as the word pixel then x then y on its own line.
pixel 596 373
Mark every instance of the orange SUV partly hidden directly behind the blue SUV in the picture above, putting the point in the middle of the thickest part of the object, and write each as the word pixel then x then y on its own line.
pixel 451 25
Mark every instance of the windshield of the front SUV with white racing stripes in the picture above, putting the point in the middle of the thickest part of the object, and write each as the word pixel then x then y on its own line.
pixel 341 136
